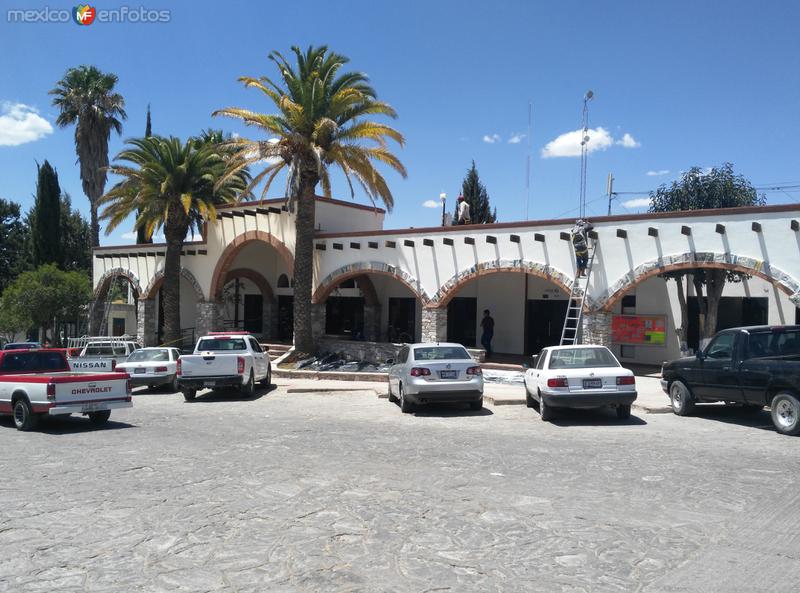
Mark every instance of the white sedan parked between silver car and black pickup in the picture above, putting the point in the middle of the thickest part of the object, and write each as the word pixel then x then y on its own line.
pixel 579 377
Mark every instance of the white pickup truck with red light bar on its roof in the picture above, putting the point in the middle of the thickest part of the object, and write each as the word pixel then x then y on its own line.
pixel 224 359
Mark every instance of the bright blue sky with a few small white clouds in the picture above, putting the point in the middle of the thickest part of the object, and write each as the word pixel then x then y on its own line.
pixel 690 83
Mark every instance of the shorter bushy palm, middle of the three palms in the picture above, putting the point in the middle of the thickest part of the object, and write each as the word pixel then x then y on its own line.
pixel 175 186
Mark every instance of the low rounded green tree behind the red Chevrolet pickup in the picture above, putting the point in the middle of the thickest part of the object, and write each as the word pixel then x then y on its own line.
pixel 43 298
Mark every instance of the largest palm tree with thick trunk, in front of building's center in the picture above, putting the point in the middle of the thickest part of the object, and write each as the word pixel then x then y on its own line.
pixel 319 123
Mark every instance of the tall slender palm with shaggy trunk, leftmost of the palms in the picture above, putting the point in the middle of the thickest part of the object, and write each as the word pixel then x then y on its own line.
pixel 86 97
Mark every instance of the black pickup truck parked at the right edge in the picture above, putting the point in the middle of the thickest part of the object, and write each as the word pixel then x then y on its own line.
pixel 749 366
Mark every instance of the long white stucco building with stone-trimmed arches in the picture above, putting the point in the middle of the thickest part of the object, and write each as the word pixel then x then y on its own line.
pixel 433 283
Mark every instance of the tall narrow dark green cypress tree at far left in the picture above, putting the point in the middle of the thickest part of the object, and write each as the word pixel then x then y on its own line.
pixel 46 217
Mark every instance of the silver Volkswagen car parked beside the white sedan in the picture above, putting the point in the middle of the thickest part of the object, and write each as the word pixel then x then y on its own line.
pixel 435 373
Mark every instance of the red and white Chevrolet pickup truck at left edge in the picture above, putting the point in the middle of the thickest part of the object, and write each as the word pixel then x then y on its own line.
pixel 34 383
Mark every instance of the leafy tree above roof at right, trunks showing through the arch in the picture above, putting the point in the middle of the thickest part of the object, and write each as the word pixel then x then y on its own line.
pixel 697 189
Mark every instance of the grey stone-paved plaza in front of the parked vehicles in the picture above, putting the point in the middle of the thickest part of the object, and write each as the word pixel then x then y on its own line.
pixel 301 492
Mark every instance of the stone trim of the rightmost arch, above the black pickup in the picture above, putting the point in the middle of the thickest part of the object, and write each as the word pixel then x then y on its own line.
pixel 703 260
